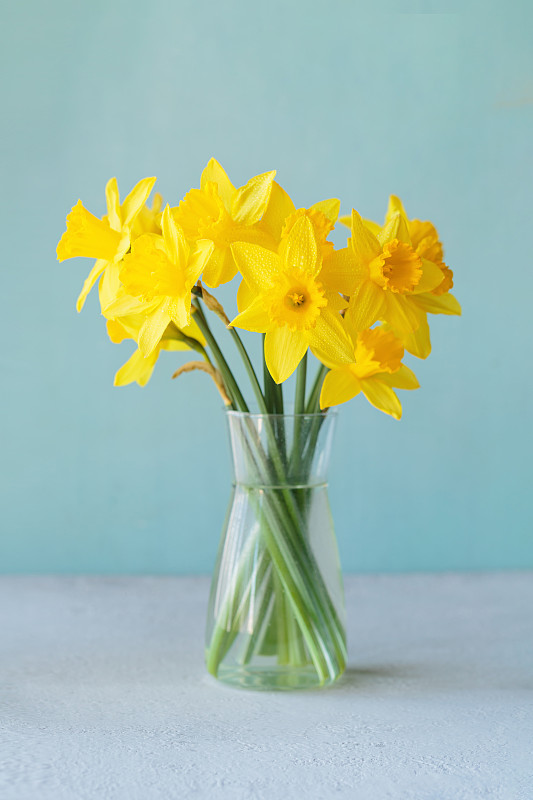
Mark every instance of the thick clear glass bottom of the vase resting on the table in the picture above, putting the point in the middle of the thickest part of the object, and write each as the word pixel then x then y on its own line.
pixel 269 679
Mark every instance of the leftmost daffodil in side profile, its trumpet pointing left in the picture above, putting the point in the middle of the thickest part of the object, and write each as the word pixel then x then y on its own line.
pixel 106 239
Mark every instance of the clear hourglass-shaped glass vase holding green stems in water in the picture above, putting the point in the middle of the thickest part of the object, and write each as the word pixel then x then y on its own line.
pixel 276 608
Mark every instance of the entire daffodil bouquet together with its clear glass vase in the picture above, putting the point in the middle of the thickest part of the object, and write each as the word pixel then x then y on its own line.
pixel 274 617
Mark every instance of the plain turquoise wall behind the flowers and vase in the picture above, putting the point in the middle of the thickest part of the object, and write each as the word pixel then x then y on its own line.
pixel 433 102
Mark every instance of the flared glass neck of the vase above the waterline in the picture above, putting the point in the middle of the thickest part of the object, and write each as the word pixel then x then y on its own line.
pixel 275 450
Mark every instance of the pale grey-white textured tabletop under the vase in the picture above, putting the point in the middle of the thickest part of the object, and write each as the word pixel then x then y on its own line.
pixel 105 696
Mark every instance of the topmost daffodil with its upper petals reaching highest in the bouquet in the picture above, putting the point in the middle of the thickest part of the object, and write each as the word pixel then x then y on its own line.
pixel 223 214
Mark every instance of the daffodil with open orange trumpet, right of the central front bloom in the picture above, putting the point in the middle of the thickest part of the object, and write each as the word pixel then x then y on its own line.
pixel 382 273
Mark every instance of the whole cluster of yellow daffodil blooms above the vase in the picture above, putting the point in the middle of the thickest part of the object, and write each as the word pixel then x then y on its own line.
pixel 357 309
